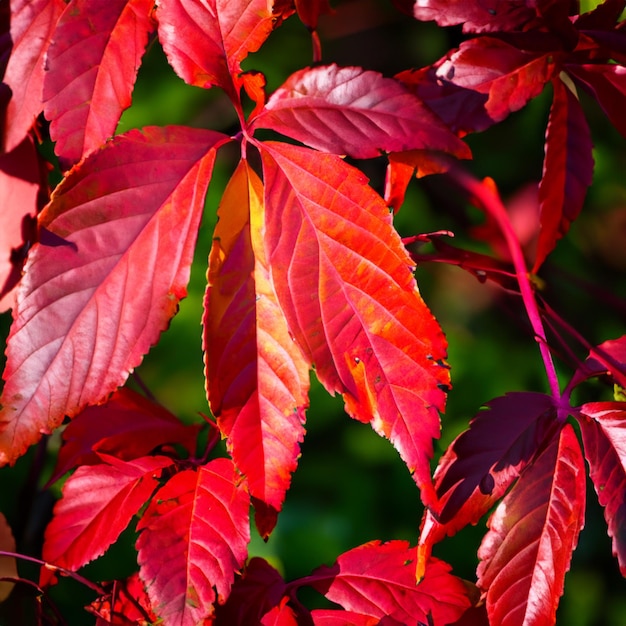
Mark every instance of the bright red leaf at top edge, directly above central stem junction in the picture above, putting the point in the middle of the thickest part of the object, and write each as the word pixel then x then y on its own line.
pixel 206 40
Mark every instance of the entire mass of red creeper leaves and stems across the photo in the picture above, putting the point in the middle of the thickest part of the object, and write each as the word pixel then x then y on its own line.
pixel 305 271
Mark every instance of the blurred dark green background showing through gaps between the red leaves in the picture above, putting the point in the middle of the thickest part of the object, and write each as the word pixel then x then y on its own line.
pixel 351 486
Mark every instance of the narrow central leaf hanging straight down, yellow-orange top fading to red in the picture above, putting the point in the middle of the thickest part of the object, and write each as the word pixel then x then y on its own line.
pixel 257 378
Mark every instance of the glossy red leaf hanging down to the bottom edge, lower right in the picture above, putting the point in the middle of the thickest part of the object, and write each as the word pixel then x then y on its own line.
pixel 533 532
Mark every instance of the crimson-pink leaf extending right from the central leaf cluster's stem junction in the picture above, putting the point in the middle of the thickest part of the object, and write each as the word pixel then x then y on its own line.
pixel 348 110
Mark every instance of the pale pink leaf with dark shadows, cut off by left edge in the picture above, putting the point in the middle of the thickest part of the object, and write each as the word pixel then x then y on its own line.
pixel 19 186
